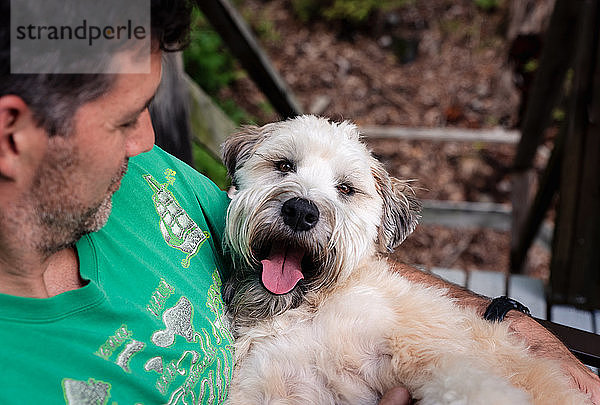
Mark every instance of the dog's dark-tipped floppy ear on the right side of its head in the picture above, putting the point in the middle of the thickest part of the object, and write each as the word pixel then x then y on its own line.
pixel 401 209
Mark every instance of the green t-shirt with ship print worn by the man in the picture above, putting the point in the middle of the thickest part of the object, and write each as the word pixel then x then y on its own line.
pixel 149 327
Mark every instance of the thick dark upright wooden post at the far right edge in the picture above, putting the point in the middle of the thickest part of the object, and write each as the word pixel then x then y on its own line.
pixel 575 265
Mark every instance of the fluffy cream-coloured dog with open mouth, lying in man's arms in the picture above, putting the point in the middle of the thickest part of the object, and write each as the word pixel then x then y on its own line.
pixel 318 314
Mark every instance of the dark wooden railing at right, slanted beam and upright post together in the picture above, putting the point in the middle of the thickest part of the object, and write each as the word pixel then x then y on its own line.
pixel 573 172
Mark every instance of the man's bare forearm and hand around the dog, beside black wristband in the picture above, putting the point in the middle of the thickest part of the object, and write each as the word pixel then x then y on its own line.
pixel 541 342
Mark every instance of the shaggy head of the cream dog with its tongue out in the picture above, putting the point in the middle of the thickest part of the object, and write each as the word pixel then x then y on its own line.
pixel 310 204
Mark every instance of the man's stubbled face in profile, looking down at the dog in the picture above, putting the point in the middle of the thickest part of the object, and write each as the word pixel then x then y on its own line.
pixel 72 188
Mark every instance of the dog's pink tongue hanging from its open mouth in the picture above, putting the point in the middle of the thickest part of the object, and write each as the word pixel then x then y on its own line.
pixel 281 270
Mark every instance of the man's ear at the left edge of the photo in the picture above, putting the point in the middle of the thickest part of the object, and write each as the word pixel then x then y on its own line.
pixel 20 137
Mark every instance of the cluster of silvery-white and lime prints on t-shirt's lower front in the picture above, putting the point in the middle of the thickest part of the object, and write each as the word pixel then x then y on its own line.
pixel 199 371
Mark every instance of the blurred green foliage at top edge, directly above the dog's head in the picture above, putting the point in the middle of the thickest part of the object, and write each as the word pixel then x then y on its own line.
pixel 350 11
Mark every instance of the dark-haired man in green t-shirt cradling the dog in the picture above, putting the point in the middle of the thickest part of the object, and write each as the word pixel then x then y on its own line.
pixel 123 309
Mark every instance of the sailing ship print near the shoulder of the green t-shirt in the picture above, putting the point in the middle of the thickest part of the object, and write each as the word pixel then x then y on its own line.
pixel 176 226
